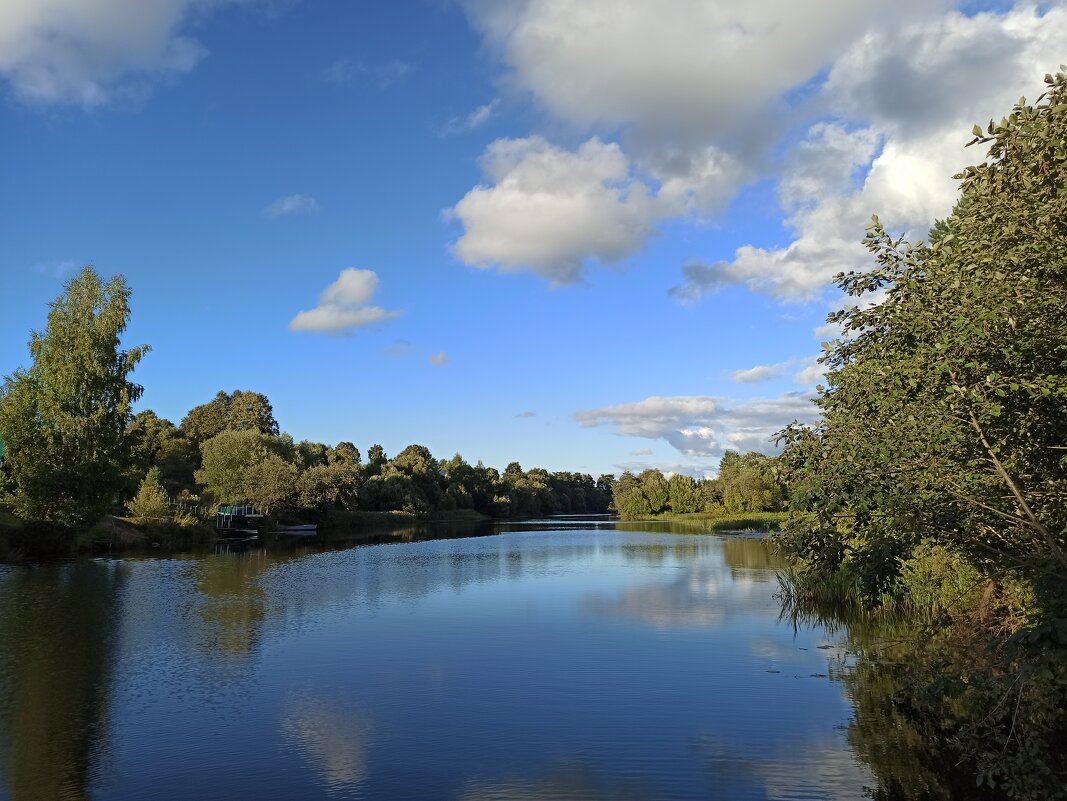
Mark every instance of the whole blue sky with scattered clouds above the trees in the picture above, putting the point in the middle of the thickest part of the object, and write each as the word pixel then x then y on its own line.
pixel 583 235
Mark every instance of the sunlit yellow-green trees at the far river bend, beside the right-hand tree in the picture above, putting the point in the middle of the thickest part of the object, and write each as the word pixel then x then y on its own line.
pixel 746 484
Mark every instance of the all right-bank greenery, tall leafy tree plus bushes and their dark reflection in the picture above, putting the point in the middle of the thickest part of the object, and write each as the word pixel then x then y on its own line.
pixel 929 506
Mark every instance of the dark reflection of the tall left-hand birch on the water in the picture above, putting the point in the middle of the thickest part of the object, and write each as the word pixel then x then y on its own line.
pixel 57 645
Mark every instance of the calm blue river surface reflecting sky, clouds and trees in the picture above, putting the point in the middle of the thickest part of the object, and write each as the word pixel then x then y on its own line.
pixel 553 662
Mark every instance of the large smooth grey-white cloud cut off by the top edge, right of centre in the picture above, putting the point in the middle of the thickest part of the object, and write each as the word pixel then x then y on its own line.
pixel 689 70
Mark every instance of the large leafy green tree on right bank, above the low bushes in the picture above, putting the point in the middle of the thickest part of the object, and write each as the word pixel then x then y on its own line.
pixel 946 409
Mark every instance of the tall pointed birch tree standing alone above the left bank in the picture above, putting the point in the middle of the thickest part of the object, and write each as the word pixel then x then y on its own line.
pixel 65 420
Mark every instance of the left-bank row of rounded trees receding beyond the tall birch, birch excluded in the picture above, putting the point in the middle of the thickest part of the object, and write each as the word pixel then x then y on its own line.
pixel 230 452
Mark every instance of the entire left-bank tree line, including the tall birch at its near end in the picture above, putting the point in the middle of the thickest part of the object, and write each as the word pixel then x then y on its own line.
pixel 75 452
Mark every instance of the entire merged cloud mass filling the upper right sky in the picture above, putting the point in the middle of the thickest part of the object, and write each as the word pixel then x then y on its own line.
pixel 850 111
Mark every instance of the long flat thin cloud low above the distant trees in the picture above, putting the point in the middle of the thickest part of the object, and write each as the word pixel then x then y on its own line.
pixel 703 426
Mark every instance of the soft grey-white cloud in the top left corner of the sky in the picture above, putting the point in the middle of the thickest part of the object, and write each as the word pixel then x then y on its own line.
pixel 90 52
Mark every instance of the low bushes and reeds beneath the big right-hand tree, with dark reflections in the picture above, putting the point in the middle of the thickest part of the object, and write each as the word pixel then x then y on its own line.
pixel 969 669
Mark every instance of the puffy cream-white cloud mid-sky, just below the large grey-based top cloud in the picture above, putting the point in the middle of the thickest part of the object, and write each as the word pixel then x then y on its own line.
pixel 551 211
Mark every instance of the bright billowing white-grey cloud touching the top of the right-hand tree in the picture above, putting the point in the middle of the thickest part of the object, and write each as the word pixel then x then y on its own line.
pixel 911 118
